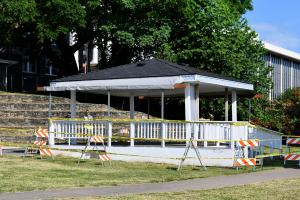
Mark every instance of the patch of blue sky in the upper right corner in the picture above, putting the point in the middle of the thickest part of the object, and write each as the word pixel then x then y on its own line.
pixel 277 22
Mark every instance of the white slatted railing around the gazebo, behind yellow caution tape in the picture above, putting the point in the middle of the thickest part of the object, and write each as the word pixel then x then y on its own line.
pixel 167 132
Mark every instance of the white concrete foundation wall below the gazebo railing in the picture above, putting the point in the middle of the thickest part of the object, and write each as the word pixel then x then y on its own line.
pixel 221 157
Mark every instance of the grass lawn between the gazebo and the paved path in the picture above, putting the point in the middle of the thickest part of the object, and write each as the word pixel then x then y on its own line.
pixel 25 174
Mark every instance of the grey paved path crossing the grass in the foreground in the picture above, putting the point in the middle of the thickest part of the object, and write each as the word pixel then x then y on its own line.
pixel 174 186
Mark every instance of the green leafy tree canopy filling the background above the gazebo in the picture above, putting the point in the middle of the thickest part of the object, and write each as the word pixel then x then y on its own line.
pixel 208 34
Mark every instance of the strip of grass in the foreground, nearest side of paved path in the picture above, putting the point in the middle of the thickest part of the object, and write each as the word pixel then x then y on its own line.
pixel 275 190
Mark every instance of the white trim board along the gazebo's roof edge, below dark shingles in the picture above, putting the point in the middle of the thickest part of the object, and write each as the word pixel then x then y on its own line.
pixel 150 83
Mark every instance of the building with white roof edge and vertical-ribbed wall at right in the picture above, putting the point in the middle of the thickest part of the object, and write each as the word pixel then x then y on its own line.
pixel 286 69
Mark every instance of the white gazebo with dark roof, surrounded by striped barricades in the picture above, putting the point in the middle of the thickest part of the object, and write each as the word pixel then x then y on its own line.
pixel 157 78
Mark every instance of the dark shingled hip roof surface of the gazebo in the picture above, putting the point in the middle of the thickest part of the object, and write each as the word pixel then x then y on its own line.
pixel 148 68
